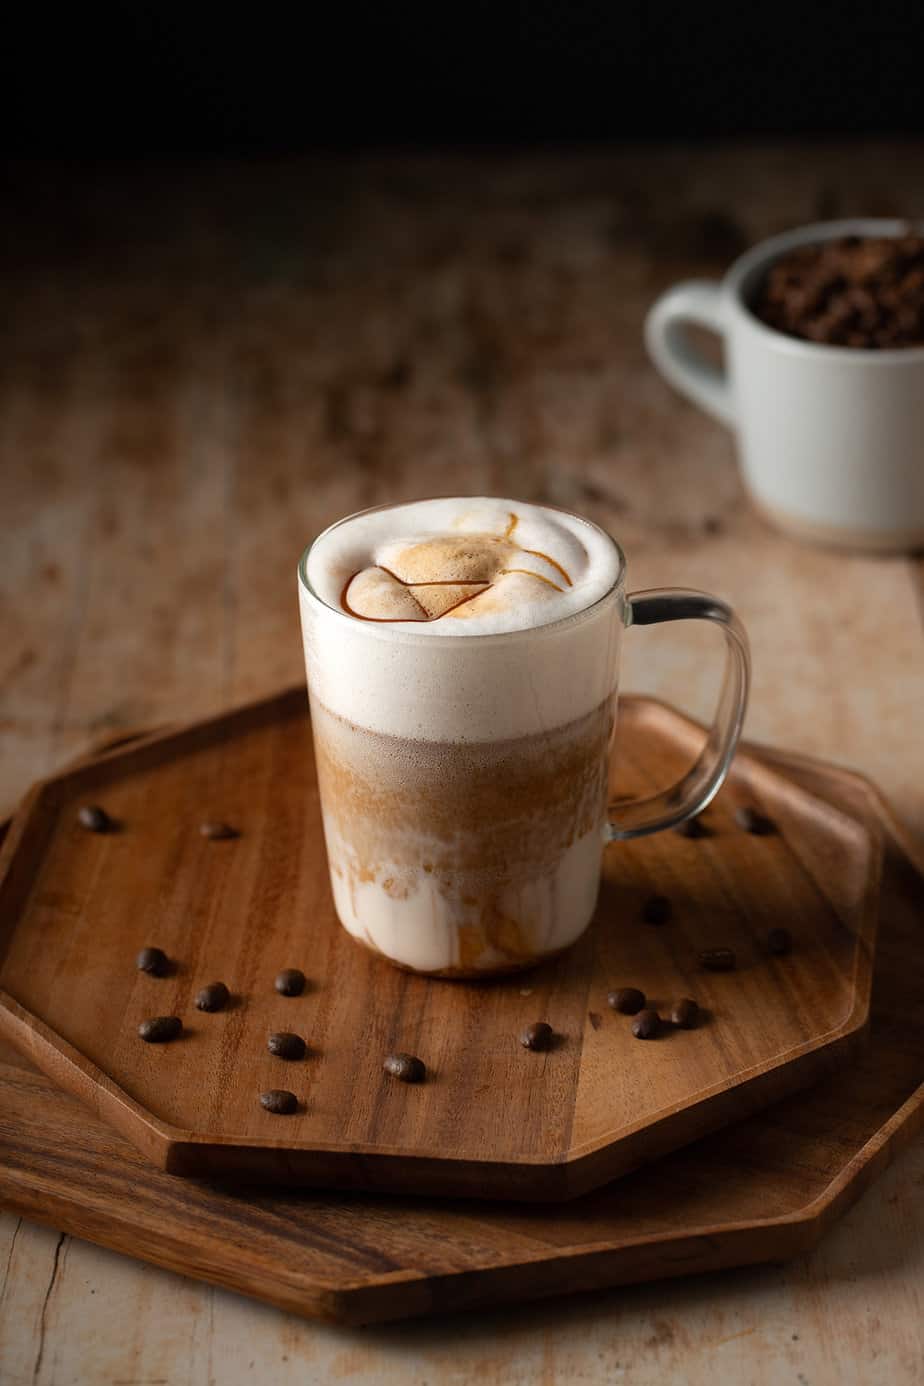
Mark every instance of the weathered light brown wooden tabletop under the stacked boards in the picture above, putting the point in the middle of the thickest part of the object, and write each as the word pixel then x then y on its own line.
pixel 200 368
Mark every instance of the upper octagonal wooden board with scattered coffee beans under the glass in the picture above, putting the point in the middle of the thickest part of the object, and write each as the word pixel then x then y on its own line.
pixel 492 1121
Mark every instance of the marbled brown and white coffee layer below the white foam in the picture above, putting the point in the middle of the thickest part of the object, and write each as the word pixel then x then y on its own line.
pixel 465 857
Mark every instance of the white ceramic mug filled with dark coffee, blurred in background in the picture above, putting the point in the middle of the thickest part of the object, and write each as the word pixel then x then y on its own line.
pixel 830 439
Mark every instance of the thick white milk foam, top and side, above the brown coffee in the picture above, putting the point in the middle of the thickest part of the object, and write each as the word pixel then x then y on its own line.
pixel 555 649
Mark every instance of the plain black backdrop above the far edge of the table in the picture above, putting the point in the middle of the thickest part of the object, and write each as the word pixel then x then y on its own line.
pixel 120 78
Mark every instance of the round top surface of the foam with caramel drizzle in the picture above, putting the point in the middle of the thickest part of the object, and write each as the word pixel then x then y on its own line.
pixel 463 566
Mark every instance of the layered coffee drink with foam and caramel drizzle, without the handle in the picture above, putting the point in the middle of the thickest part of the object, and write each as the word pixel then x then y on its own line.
pixel 462 662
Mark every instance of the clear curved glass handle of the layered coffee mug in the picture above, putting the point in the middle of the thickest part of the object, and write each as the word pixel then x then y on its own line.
pixel 704 780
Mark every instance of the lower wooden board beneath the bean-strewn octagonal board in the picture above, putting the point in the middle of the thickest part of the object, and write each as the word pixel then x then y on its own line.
pixel 763 1190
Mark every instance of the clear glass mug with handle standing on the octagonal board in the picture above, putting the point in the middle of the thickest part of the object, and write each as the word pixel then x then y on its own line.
pixel 463 778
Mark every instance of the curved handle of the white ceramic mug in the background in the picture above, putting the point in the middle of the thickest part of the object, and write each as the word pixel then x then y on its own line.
pixel 696 301
